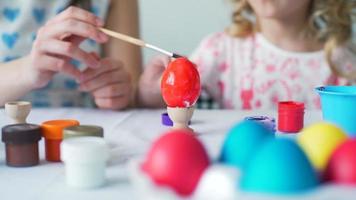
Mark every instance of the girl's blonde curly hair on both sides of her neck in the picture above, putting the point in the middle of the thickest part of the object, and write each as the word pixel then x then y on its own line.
pixel 330 21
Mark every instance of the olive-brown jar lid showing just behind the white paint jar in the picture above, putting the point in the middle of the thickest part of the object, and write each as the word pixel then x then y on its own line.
pixel 83 130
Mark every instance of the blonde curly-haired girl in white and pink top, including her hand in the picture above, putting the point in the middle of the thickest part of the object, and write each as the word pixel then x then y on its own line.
pixel 275 50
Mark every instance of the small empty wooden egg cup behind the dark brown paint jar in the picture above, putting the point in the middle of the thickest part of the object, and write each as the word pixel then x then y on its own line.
pixel 18 111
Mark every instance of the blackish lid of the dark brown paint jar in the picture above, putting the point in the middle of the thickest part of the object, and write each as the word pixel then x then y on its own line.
pixel 21 133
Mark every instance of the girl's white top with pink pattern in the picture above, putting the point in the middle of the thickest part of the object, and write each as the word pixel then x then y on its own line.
pixel 252 73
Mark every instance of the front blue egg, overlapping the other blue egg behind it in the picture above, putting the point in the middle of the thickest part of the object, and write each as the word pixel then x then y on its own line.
pixel 280 166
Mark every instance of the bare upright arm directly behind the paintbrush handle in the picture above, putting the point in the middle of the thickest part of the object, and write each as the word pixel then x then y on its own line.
pixel 123 17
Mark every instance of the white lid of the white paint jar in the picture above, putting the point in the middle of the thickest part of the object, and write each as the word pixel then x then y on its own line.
pixel 84 149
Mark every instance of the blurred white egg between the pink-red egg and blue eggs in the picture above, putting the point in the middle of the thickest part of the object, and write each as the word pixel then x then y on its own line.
pixel 218 182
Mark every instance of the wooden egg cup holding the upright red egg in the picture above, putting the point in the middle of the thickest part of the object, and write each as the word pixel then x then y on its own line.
pixel 180 117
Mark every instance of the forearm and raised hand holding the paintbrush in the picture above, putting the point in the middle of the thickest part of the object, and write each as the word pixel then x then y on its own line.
pixel 57 42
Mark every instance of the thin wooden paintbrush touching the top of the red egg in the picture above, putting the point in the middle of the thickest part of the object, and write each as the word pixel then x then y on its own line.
pixel 138 42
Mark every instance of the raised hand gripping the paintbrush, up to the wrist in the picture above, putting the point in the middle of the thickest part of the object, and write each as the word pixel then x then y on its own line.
pixel 58 42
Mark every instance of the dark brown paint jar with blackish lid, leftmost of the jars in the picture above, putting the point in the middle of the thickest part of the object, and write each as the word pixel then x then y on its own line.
pixel 21 141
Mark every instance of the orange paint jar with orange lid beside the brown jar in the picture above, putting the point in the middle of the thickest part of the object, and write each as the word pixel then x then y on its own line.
pixel 52 131
